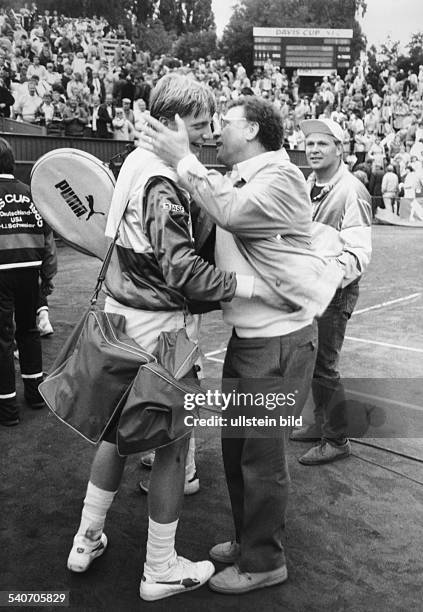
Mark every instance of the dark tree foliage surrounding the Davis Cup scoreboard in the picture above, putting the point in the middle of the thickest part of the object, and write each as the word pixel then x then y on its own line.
pixel 237 41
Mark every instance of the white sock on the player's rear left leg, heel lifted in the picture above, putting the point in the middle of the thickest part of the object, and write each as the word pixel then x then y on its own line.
pixel 96 505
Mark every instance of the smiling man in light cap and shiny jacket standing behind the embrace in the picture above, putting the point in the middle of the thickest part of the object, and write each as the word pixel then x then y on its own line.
pixel 341 218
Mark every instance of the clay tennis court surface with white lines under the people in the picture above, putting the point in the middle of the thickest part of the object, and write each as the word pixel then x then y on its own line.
pixel 354 528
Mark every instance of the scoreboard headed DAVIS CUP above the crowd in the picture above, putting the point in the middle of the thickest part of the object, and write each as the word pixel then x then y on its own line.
pixel 311 51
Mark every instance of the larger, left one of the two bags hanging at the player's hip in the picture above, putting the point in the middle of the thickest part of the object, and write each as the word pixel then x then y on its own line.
pixel 92 373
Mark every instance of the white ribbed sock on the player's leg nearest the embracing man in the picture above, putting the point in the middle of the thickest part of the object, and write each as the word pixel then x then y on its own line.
pixel 161 552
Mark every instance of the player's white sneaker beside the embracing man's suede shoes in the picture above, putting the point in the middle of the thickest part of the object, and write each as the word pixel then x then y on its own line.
pixel 183 576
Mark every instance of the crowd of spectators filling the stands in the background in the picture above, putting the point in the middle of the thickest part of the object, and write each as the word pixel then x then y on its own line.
pixel 64 74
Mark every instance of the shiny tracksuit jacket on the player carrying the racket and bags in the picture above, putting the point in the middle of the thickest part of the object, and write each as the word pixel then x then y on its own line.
pixel 155 264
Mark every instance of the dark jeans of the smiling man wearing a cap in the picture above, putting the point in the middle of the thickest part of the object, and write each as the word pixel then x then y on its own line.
pixel 328 391
